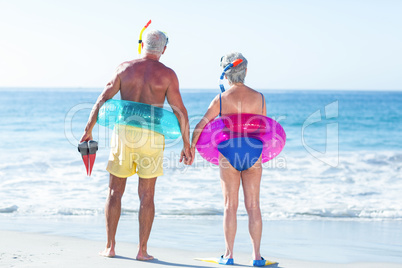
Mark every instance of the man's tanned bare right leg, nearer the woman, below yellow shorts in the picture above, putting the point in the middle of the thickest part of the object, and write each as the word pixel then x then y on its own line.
pixel 146 192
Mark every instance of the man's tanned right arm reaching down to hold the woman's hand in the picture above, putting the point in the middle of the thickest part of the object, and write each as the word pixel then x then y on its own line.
pixel 174 99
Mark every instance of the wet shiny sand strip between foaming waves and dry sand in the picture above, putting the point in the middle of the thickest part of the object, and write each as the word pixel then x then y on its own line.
pixel 333 242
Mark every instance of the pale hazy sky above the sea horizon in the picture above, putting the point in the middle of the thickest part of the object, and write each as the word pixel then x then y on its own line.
pixel 343 44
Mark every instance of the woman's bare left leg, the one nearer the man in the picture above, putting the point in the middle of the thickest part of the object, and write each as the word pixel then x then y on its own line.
pixel 230 181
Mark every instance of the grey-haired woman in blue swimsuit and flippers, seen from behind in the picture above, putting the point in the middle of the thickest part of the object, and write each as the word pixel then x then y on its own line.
pixel 238 99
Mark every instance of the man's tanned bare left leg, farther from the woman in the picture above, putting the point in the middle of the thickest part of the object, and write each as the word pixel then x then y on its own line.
pixel 112 212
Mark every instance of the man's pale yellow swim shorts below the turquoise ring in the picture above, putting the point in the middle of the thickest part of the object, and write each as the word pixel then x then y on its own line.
pixel 136 150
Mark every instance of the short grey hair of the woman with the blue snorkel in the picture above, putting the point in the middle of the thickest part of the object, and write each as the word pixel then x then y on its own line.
pixel 238 73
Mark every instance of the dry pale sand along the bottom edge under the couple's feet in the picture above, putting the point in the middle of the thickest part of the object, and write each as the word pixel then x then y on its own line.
pixel 20 249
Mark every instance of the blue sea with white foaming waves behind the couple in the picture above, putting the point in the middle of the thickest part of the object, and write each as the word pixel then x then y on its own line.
pixel 342 162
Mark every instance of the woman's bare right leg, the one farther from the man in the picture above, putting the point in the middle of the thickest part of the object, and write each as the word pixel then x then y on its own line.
pixel 251 179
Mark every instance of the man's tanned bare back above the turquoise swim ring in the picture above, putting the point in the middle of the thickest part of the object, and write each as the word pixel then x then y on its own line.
pixel 146 81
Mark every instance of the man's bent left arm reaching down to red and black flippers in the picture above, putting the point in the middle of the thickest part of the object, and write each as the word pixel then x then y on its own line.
pixel 110 90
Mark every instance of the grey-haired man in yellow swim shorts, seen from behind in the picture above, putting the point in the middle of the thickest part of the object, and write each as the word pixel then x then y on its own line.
pixel 143 80
